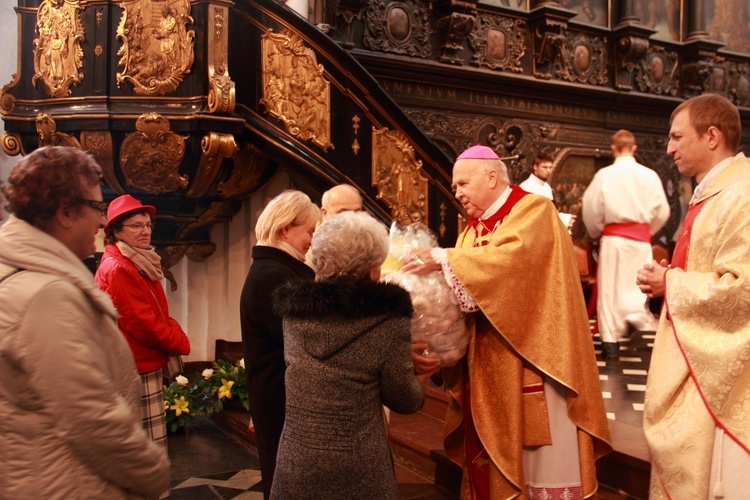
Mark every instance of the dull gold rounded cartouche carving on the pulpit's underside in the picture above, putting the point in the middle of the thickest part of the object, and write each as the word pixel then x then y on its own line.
pixel 150 157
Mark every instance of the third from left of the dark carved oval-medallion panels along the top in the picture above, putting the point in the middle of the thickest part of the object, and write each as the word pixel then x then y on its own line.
pixel 583 59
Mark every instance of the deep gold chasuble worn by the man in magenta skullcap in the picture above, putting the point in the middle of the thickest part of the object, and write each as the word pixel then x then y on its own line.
pixel 532 325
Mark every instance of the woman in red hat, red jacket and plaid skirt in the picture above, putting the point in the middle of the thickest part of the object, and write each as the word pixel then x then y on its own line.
pixel 130 271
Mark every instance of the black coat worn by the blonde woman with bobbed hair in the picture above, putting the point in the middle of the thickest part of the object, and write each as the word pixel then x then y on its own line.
pixel 263 348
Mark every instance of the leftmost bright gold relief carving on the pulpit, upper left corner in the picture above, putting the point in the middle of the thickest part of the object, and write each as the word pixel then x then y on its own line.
pixel 58 56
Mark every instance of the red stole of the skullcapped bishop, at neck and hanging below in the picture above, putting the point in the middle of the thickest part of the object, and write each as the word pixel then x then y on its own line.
pixel 477 458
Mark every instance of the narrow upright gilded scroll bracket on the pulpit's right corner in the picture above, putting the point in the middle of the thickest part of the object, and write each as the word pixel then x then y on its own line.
pixel 221 95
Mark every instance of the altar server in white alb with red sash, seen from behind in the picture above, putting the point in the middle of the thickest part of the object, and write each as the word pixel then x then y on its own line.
pixel 624 206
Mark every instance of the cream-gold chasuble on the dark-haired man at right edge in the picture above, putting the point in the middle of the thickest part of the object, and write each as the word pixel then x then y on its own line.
pixel 699 379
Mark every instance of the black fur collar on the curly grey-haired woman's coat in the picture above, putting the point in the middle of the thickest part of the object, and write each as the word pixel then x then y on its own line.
pixel 343 298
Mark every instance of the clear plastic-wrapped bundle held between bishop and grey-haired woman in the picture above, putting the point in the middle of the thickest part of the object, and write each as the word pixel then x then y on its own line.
pixel 438 319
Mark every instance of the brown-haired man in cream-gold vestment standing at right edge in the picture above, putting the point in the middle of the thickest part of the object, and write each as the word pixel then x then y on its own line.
pixel 697 408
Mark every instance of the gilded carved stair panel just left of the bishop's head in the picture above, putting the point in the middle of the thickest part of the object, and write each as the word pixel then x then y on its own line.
pixel 398 176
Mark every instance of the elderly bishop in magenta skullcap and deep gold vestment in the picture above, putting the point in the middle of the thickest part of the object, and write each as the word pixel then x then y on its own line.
pixel 526 417
